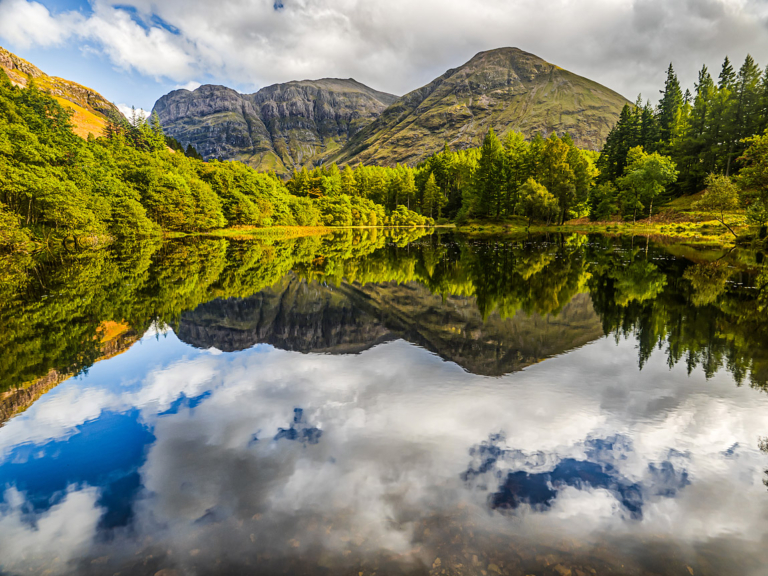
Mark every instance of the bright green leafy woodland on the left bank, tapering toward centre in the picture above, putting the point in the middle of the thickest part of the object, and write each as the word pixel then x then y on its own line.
pixel 130 182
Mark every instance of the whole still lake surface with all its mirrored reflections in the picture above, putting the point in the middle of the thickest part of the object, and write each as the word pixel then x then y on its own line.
pixel 385 403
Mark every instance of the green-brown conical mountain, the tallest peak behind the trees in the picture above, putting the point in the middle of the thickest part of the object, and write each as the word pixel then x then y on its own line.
pixel 506 89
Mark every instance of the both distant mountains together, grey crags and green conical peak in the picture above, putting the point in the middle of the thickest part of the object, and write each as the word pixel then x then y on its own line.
pixel 287 126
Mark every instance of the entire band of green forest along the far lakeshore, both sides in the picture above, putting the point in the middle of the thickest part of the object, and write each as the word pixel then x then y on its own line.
pixel 134 181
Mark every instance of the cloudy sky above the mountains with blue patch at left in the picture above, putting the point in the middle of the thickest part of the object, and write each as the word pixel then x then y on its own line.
pixel 134 51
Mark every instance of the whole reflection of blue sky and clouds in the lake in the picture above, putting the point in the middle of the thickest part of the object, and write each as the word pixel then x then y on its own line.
pixel 173 457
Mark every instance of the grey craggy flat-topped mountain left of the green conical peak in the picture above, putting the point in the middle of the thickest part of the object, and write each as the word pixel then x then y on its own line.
pixel 280 127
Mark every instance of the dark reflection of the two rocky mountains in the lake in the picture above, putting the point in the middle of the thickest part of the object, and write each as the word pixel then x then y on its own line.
pixel 351 318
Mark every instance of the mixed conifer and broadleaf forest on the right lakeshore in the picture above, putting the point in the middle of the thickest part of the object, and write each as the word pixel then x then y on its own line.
pixel 714 138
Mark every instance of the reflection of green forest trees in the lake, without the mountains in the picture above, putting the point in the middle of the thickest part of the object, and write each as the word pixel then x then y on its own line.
pixel 57 309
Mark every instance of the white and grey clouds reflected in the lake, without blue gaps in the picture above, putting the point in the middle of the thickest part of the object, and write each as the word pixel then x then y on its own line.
pixel 396 437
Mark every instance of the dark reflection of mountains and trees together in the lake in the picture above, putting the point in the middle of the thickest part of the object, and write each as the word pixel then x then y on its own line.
pixel 492 306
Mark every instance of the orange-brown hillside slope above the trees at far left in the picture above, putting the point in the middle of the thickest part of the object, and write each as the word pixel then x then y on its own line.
pixel 90 109
